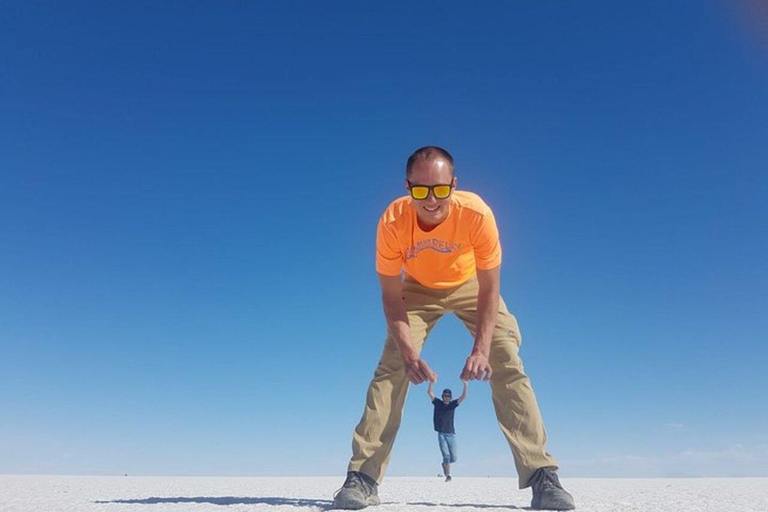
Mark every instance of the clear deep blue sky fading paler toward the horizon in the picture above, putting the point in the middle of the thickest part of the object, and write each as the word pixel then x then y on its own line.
pixel 188 204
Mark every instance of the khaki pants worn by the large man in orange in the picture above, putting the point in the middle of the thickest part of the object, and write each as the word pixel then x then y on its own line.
pixel 516 408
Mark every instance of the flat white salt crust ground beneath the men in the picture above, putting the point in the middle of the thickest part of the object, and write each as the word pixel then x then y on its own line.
pixel 159 494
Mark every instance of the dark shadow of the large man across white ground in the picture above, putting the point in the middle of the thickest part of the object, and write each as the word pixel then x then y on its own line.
pixel 296 502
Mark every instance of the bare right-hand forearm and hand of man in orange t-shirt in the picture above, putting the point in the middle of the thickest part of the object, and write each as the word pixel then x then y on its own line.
pixel 477 366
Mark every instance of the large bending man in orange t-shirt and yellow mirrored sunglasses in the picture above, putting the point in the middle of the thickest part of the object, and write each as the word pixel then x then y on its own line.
pixel 438 251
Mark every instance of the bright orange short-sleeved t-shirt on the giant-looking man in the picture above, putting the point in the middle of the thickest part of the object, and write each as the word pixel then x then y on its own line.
pixel 446 256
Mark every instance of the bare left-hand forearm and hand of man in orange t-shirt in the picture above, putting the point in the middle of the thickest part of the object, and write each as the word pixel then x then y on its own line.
pixel 416 368
